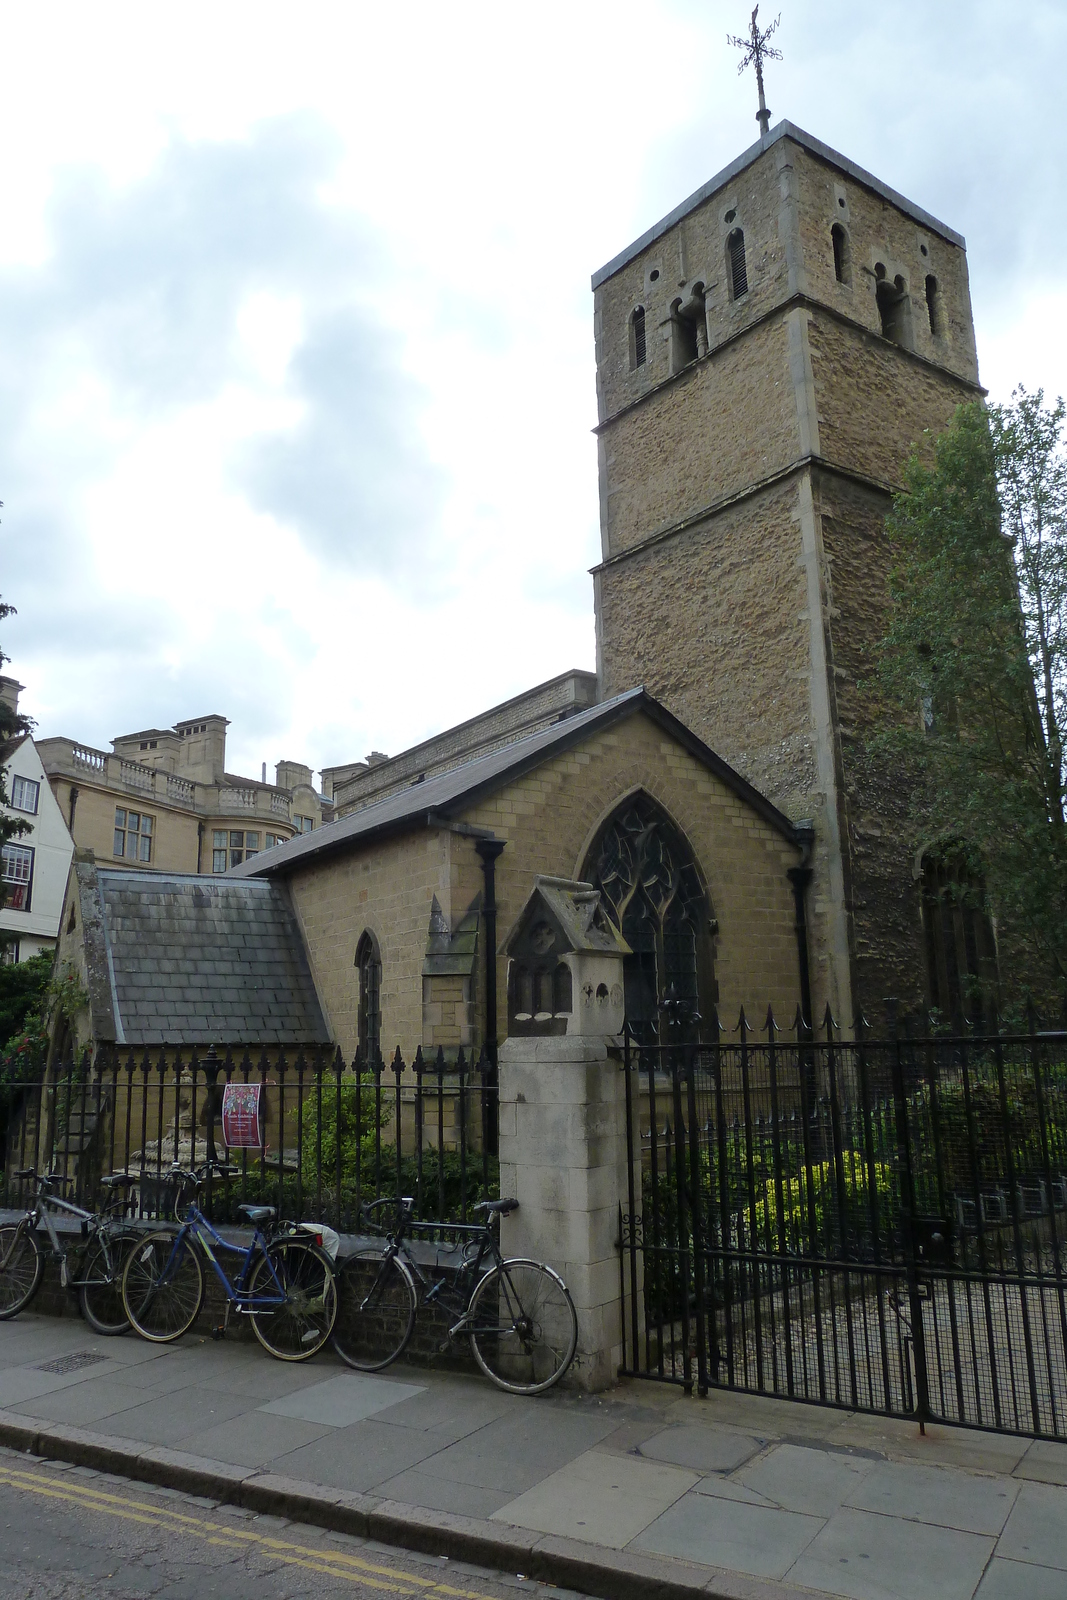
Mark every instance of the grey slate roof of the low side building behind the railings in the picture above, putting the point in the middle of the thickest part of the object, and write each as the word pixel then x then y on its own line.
pixel 199 961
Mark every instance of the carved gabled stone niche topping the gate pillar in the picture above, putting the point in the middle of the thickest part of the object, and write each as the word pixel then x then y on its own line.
pixel 565 964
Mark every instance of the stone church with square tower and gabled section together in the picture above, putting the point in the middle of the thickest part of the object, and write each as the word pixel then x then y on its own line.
pixel 767 358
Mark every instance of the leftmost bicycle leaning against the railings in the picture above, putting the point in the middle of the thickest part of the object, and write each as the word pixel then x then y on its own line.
pixel 94 1266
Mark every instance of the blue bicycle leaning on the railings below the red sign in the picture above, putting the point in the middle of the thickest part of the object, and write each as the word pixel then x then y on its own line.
pixel 284 1284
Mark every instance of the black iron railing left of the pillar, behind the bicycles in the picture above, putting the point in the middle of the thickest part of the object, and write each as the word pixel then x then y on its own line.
pixel 334 1134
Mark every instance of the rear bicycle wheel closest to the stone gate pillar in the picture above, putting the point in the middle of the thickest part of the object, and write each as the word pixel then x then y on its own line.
pixel 524 1327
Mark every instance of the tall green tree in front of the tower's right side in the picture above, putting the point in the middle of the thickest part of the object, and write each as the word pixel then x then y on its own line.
pixel 975 670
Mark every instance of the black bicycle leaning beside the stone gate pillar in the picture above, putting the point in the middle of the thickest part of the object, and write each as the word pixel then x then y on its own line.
pixel 518 1314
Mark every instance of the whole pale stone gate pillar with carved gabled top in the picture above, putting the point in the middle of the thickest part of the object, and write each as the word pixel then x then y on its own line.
pixel 562 1108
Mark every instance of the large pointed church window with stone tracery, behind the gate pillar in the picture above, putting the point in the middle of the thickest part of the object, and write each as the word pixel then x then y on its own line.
pixel 647 874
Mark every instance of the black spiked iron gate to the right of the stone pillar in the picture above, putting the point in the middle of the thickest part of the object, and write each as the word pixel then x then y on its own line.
pixel 876 1225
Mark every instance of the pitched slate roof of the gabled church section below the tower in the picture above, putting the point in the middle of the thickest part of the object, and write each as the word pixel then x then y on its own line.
pixel 449 793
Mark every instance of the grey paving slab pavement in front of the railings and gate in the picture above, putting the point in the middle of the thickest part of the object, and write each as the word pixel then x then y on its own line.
pixel 641 1492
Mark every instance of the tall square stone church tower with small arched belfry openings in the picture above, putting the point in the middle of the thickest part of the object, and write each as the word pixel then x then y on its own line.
pixel 767 358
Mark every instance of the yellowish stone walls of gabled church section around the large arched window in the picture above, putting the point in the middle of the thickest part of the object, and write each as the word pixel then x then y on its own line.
pixel 549 820
